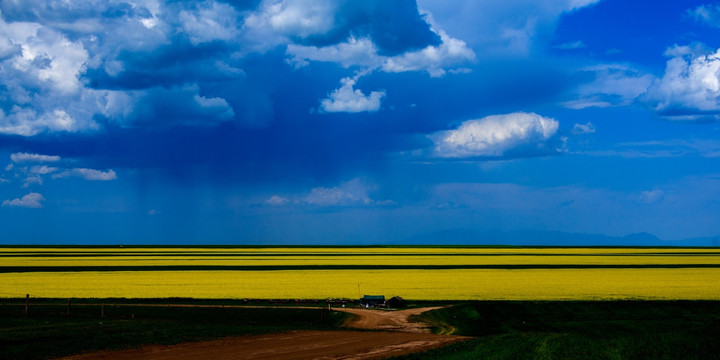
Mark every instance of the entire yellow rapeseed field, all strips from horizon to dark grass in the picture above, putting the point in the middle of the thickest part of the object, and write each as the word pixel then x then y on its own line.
pixel 698 282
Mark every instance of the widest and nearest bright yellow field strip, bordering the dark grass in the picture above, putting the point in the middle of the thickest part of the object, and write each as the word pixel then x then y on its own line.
pixel 536 284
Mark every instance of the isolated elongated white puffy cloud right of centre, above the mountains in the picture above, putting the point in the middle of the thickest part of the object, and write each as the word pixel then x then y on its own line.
pixel 495 135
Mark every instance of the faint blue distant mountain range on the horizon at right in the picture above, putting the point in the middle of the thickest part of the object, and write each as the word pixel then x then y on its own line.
pixel 548 238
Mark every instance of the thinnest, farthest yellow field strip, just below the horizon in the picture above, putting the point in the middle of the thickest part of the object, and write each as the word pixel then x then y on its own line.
pixel 356 250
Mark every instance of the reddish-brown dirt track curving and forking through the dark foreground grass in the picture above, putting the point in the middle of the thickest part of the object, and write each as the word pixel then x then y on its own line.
pixel 406 337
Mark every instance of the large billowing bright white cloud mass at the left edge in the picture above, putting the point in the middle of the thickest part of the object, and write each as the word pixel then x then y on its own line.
pixel 41 73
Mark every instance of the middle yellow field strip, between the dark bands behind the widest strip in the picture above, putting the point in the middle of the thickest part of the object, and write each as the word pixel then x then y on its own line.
pixel 358 260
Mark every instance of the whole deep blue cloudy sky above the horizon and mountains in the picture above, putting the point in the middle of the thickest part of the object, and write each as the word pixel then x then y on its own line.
pixel 356 122
